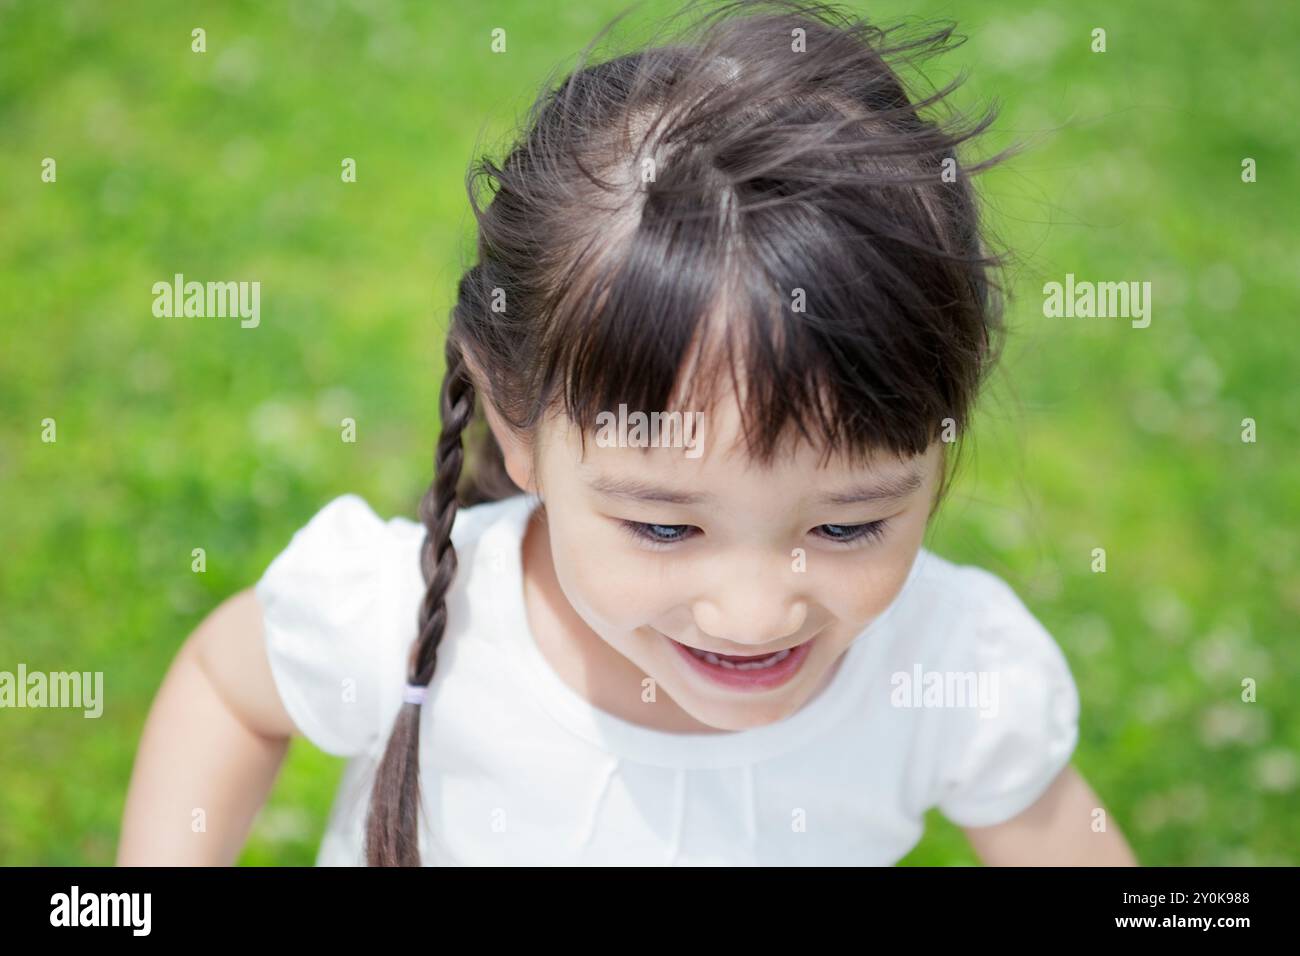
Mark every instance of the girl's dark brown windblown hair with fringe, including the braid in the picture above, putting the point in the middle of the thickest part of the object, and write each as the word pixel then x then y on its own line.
pixel 673 206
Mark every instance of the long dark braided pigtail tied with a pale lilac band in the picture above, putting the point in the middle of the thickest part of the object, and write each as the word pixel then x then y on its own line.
pixel 392 829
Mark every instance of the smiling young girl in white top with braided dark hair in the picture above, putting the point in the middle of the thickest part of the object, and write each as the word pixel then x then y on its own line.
pixel 731 308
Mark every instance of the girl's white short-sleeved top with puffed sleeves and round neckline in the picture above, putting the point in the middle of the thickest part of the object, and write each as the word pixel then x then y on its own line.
pixel 518 768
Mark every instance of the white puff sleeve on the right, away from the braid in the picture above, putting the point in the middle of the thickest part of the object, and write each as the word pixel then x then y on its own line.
pixel 998 760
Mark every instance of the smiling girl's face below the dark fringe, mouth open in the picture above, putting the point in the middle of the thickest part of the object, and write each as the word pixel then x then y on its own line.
pixel 660 552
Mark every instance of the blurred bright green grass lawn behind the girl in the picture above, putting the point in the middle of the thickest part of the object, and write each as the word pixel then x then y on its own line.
pixel 183 434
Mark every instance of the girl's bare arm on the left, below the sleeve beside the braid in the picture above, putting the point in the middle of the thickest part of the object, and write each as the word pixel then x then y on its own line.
pixel 211 749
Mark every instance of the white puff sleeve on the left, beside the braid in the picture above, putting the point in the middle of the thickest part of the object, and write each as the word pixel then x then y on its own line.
pixel 337 628
